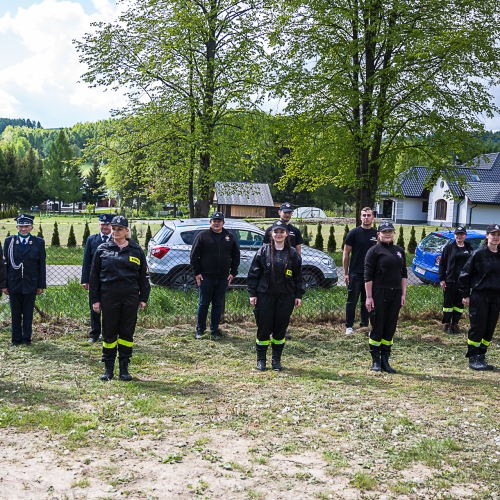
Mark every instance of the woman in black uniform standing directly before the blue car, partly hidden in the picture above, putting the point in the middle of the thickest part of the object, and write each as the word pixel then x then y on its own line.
pixel 455 255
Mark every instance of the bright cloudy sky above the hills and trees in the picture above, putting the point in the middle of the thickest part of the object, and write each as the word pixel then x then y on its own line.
pixel 39 67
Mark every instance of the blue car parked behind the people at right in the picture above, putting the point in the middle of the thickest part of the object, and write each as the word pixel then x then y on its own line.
pixel 425 265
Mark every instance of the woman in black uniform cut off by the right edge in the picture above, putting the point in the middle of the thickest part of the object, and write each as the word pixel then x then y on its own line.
pixel 482 274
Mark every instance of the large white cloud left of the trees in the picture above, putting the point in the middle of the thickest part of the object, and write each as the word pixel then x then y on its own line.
pixel 49 64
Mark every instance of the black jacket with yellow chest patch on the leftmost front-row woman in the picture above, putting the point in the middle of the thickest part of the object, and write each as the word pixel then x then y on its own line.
pixel 123 271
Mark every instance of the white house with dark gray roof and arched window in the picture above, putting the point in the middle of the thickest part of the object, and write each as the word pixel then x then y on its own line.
pixel 476 204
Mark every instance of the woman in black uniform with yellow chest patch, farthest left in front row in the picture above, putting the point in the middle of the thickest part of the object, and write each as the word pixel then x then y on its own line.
pixel 118 286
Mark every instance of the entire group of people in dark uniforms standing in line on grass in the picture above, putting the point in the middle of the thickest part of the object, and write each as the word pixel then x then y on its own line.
pixel 114 271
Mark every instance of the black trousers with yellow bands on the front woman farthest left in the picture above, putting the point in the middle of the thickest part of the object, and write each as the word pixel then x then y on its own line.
pixel 119 317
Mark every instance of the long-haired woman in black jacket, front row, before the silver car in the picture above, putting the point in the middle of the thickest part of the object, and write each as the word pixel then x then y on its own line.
pixel 275 286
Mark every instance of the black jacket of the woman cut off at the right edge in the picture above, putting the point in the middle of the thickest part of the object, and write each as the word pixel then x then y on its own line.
pixel 481 272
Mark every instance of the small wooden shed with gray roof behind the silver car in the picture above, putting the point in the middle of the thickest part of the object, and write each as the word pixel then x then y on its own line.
pixel 244 200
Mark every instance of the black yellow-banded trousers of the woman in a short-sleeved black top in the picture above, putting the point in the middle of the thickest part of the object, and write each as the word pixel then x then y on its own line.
pixel 384 318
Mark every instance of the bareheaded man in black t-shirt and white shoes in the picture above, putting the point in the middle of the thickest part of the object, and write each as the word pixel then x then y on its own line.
pixel 358 241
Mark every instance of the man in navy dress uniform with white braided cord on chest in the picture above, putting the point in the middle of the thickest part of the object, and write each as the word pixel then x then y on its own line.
pixel 26 277
